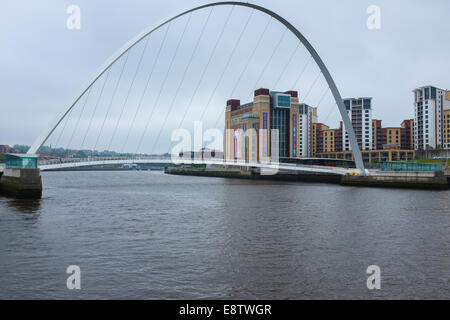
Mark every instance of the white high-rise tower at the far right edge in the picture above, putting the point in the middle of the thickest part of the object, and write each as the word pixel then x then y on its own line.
pixel 429 106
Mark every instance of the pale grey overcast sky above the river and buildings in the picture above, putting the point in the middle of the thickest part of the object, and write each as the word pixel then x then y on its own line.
pixel 43 63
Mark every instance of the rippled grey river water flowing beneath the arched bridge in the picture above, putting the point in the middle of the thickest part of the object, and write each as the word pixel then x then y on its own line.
pixel 148 235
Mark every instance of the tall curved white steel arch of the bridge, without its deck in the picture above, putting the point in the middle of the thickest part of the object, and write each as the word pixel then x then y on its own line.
pixel 130 44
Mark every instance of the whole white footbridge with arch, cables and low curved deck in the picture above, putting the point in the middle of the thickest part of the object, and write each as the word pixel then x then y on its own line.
pixel 85 90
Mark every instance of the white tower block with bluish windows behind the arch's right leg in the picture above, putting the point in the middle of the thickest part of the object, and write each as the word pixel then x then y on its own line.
pixel 360 113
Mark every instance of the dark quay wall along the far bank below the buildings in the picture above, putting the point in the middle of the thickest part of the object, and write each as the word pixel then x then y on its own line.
pixel 379 179
